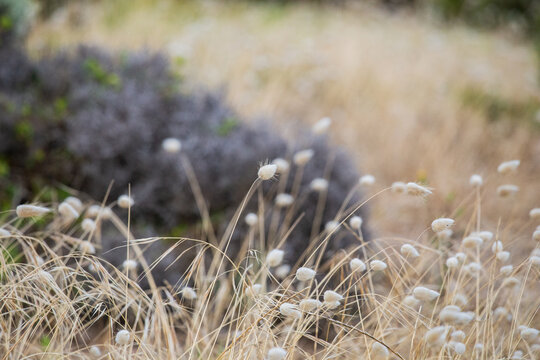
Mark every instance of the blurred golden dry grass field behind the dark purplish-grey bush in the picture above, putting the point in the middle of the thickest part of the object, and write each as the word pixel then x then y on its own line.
pixel 427 91
